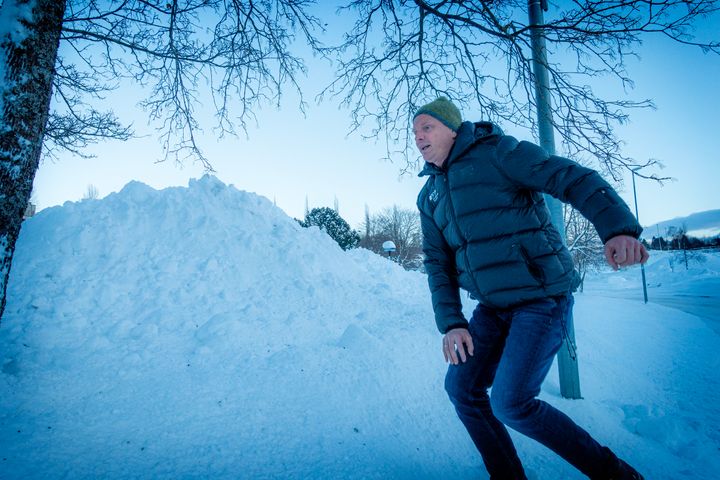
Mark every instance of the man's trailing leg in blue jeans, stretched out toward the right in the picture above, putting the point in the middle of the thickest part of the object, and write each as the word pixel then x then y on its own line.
pixel 535 336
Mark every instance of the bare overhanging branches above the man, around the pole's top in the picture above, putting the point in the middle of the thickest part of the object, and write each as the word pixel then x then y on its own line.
pixel 403 53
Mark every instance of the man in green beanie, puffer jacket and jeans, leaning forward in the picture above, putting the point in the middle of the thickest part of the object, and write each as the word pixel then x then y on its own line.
pixel 486 229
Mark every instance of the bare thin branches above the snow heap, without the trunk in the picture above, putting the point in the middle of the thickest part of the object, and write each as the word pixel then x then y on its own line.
pixel 233 53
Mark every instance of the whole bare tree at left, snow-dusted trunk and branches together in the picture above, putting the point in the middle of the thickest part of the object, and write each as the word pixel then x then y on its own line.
pixel 231 54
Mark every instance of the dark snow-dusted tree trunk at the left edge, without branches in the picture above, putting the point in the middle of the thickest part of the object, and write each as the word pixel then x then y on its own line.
pixel 29 54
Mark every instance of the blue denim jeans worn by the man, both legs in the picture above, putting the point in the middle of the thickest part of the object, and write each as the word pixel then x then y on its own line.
pixel 514 350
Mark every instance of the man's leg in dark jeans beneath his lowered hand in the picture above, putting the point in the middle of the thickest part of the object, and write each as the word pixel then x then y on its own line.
pixel 467 384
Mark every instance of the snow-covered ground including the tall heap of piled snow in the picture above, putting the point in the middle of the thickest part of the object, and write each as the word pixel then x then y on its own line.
pixel 201 333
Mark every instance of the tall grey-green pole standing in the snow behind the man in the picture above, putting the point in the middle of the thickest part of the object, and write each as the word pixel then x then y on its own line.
pixel 567 356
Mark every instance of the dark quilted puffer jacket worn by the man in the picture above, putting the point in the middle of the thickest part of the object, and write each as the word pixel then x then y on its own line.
pixel 486 227
